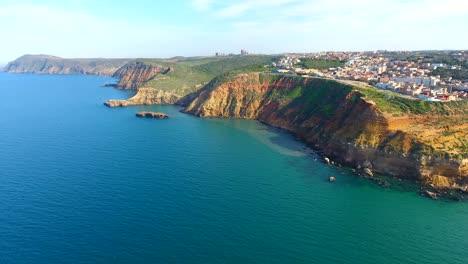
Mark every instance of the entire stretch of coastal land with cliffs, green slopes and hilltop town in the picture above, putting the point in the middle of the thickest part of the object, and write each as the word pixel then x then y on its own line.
pixel 394 132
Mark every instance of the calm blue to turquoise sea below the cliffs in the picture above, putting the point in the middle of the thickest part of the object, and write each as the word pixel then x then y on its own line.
pixel 83 183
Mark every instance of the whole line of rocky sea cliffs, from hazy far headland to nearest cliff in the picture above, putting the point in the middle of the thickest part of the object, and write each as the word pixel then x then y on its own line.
pixel 342 122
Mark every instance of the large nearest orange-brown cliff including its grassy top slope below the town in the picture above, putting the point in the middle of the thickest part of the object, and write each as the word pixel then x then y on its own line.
pixel 350 124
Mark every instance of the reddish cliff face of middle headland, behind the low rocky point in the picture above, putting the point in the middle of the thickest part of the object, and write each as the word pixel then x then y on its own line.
pixel 136 74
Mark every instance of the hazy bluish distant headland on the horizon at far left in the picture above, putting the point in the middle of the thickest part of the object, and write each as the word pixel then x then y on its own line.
pixel 45 64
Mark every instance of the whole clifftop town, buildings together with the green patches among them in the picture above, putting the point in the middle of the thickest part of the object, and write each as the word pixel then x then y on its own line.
pixel 430 75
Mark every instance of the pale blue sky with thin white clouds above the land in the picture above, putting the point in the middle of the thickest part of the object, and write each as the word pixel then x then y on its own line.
pixel 160 29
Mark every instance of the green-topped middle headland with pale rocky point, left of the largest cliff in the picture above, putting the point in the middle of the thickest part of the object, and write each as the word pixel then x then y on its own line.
pixel 167 81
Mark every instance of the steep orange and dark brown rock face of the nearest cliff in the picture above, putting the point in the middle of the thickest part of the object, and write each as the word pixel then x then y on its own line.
pixel 335 119
